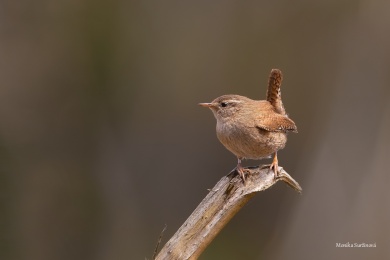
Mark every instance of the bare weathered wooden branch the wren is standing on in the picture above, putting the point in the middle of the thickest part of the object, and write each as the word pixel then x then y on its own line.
pixel 223 201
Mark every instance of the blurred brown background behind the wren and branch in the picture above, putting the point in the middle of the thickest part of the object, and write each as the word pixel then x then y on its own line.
pixel 102 142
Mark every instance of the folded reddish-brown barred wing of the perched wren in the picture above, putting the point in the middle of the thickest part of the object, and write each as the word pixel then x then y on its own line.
pixel 275 122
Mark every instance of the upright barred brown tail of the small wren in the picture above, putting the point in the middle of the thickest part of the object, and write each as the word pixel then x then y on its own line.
pixel 274 95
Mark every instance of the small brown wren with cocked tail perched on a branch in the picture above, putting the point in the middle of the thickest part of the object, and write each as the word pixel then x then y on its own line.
pixel 253 129
